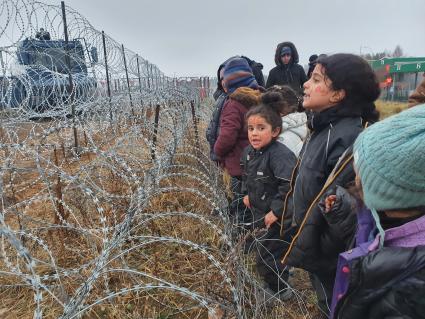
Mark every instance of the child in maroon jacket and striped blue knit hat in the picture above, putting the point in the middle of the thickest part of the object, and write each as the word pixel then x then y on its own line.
pixel 243 93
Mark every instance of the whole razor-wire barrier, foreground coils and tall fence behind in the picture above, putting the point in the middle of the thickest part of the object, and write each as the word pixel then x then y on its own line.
pixel 110 206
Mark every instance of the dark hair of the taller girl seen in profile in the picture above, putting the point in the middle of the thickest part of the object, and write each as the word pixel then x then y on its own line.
pixel 354 75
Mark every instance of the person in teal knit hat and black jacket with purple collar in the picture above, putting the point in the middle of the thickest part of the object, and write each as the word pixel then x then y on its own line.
pixel 383 274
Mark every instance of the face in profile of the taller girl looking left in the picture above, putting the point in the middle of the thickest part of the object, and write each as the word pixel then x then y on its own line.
pixel 318 92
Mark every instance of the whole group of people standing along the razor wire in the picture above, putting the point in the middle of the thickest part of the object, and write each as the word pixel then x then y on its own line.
pixel 320 183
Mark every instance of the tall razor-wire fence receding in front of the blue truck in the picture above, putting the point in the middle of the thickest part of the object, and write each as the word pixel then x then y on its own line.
pixel 71 64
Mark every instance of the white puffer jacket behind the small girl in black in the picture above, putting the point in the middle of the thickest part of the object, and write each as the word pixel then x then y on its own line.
pixel 294 131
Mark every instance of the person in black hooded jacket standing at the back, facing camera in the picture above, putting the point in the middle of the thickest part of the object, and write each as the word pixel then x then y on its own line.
pixel 287 70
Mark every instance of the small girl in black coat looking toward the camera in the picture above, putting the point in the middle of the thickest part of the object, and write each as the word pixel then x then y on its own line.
pixel 267 166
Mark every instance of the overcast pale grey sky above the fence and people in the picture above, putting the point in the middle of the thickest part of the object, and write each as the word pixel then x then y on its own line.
pixel 192 37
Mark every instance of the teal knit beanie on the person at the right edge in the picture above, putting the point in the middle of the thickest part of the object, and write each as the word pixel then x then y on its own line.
pixel 390 159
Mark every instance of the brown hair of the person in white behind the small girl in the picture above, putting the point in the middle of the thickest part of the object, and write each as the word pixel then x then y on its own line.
pixel 282 98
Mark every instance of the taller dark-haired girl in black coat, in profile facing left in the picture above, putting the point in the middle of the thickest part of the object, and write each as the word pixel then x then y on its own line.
pixel 339 97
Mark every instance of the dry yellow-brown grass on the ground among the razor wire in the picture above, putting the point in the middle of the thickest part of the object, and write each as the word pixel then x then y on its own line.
pixel 168 256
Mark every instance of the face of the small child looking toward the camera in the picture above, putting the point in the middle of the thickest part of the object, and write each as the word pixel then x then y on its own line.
pixel 260 133
